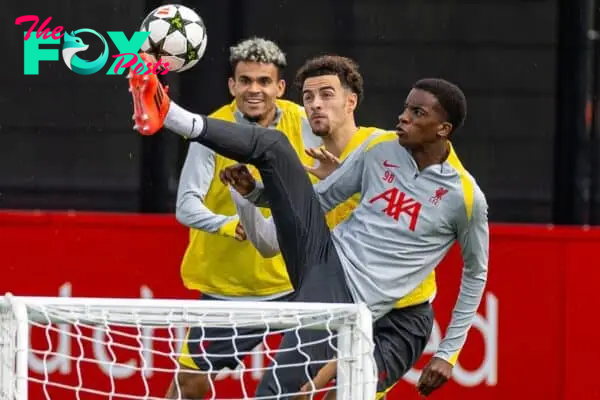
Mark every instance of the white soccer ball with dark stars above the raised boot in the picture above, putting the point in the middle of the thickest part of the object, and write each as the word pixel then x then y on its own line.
pixel 177 36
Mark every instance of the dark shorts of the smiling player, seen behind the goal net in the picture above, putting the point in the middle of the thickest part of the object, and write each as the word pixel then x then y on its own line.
pixel 212 349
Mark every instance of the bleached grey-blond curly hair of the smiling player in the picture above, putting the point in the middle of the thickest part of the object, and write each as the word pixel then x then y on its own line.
pixel 258 50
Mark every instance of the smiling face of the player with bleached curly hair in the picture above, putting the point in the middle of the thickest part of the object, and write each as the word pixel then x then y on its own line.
pixel 255 87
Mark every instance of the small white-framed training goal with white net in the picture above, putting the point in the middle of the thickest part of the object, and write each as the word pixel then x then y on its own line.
pixel 97 348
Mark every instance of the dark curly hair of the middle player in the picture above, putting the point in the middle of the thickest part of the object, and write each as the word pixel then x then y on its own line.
pixel 345 68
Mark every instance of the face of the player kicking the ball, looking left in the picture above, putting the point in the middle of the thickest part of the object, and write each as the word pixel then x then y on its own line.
pixel 423 120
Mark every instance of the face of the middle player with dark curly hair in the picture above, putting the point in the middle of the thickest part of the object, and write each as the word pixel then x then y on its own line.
pixel 327 103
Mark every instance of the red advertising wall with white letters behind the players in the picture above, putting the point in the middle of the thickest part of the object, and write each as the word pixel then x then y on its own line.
pixel 534 337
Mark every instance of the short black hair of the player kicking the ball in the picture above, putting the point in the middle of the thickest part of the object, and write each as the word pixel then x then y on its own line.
pixel 450 97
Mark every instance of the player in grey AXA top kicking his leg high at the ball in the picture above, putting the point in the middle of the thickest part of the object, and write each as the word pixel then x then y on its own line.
pixel 416 200
